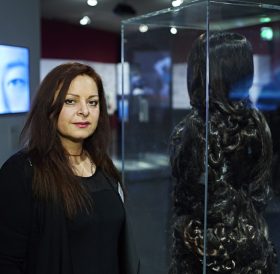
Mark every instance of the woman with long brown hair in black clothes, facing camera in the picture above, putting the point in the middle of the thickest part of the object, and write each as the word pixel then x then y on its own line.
pixel 61 206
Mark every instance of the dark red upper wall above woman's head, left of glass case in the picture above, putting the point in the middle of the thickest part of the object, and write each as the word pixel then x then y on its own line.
pixel 67 41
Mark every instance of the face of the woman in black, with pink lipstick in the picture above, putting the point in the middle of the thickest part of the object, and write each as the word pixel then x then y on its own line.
pixel 79 115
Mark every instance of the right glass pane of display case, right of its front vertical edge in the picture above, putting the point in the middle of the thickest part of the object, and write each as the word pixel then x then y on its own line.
pixel 243 160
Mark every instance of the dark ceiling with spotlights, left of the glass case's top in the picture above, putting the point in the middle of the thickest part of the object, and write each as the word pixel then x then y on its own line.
pixel 101 15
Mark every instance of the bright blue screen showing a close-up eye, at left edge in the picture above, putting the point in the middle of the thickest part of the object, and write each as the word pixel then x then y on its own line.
pixel 14 79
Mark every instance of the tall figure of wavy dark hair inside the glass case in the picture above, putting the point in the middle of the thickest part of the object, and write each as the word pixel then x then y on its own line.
pixel 238 173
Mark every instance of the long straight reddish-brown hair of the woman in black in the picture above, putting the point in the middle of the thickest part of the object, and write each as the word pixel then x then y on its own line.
pixel 53 178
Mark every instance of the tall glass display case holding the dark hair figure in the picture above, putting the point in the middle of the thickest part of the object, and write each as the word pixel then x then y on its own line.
pixel 158 107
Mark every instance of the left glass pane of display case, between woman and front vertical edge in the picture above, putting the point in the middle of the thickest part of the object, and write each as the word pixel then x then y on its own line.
pixel 154 100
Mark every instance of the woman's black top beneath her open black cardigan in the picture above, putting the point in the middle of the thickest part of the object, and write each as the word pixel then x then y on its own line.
pixel 94 236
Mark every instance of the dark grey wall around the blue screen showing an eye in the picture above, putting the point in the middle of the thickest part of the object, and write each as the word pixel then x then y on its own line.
pixel 19 25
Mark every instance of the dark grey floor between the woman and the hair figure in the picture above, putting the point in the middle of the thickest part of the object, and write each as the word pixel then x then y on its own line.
pixel 149 205
